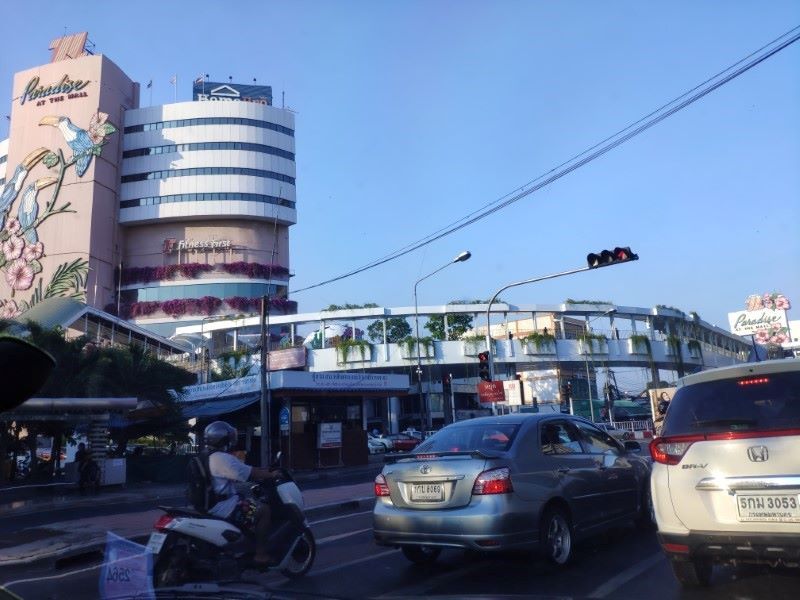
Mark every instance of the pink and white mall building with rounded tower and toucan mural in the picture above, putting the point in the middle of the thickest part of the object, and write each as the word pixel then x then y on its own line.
pixel 164 215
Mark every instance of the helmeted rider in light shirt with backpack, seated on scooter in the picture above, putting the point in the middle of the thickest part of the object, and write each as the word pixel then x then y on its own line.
pixel 225 470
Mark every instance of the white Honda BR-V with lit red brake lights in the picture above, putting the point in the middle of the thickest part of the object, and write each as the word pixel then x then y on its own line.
pixel 726 475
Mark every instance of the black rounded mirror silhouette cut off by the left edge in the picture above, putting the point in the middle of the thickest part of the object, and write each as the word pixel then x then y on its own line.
pixel 24 369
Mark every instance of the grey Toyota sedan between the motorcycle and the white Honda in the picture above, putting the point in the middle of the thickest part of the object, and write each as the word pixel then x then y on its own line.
pixel 518 481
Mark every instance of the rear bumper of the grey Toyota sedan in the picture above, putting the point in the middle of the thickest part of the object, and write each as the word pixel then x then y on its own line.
pixel 491 523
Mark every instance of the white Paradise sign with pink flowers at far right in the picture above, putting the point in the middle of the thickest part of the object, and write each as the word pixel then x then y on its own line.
pixel 764 318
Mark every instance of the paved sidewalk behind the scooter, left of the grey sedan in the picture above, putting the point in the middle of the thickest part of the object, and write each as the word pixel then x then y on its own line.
pixel 56 541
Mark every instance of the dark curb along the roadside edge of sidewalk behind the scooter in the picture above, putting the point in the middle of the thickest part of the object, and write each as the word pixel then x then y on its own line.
pixel 76 552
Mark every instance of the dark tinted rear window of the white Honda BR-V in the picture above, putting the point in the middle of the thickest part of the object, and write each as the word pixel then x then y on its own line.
pixel 755 402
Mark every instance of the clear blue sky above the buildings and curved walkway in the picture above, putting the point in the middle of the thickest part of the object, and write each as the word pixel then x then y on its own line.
pixel 412 114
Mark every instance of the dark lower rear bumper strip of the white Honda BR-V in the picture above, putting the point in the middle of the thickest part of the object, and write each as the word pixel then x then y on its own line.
pixel 725 546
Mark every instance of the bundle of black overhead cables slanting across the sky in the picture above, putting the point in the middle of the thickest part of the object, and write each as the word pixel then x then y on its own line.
pixel 620 137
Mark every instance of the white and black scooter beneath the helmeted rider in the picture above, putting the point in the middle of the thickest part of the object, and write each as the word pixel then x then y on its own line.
pixel 190 547
